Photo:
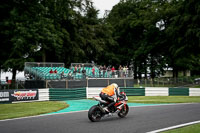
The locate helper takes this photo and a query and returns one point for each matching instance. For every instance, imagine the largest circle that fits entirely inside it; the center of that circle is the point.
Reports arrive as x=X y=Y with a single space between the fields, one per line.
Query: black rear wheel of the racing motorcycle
x=95 y=113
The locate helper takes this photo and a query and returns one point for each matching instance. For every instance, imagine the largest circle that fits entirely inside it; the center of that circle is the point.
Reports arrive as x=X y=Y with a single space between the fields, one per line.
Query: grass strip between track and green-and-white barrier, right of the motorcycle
x=164 y=99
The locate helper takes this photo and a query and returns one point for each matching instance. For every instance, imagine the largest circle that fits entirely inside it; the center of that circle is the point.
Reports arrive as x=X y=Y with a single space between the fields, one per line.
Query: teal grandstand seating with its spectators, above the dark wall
x=57 y=71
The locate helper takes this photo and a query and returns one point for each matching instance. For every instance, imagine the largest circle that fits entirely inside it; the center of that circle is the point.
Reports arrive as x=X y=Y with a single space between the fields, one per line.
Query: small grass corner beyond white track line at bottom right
x=188 y=129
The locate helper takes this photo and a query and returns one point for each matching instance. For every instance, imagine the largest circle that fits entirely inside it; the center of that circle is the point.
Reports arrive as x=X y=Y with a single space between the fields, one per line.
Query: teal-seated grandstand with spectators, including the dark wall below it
x=56 y=75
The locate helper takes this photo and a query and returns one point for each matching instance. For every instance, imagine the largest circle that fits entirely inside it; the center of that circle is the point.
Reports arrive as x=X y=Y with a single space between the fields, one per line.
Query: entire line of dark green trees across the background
x=148 y=35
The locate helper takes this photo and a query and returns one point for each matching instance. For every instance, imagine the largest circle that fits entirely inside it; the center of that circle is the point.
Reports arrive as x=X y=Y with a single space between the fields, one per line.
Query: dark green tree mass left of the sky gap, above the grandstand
x=61 y=31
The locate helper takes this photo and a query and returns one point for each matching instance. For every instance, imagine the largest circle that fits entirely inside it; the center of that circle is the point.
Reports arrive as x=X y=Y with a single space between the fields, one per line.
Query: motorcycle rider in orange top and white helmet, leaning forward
x=107 y=94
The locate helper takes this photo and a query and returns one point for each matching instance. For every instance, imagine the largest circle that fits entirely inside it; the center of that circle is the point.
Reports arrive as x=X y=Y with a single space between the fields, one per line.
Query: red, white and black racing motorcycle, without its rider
x=121 y=108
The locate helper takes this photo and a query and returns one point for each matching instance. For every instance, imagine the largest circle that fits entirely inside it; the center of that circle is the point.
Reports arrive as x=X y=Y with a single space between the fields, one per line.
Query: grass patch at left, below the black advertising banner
x=15 y=110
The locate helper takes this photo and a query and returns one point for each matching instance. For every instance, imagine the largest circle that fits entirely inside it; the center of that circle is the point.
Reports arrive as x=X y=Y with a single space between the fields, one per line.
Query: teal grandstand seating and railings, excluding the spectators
x=38 y=70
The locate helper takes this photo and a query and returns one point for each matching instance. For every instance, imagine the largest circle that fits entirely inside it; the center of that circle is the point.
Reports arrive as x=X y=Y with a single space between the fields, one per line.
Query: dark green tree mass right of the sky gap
x=157 y=34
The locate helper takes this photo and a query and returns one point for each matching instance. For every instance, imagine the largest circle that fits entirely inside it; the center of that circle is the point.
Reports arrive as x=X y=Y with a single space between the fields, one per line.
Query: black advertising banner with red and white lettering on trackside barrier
x=18 y=95
